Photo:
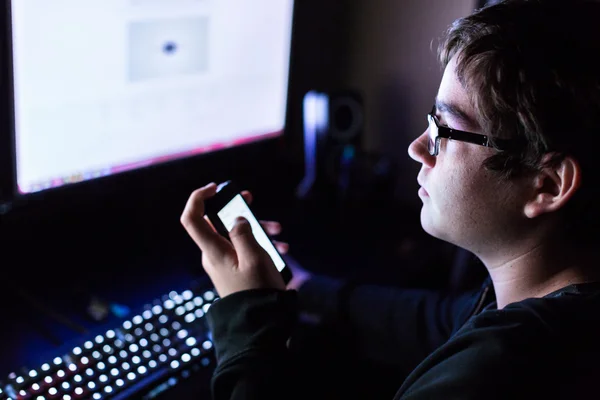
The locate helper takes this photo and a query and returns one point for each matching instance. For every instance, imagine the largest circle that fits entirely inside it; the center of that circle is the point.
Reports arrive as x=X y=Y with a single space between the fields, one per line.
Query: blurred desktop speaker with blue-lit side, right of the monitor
x=333 y=125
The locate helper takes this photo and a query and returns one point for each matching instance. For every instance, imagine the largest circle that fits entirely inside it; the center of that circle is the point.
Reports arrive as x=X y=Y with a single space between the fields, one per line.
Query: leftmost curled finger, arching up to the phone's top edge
x=197 y=227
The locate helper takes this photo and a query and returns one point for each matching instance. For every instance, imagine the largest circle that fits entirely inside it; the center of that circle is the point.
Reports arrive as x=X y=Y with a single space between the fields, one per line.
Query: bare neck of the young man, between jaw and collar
x=538 y=270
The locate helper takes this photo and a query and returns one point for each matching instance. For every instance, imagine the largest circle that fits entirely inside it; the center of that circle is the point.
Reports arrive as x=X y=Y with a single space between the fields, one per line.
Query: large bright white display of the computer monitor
x=104 y=86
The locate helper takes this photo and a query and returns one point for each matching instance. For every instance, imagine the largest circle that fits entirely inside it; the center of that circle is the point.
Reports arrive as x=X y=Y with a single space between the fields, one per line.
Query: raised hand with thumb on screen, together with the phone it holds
x=235 y=256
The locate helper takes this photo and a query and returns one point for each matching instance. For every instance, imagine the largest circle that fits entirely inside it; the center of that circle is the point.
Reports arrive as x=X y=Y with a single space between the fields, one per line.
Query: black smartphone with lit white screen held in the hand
x=226 y=206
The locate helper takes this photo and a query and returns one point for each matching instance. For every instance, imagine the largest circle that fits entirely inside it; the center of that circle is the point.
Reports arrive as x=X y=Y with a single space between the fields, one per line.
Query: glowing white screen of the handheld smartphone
x=237 y=208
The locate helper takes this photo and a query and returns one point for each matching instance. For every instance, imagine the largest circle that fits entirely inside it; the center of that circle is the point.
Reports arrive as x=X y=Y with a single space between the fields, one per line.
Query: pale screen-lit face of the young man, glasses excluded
x=463 y=203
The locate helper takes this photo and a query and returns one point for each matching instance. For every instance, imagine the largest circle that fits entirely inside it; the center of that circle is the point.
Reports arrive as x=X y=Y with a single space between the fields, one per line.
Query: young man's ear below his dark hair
x=553 y=187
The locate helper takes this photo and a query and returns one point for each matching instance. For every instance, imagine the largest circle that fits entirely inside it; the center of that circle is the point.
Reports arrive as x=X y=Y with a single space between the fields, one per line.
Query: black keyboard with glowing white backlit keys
x=166 y=342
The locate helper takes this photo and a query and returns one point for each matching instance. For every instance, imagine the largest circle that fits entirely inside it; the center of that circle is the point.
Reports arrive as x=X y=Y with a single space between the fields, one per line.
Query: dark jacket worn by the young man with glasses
x=460 y=347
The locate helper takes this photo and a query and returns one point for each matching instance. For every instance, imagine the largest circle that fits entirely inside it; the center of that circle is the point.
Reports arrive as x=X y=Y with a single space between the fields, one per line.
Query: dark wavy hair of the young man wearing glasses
x=533 y=72
